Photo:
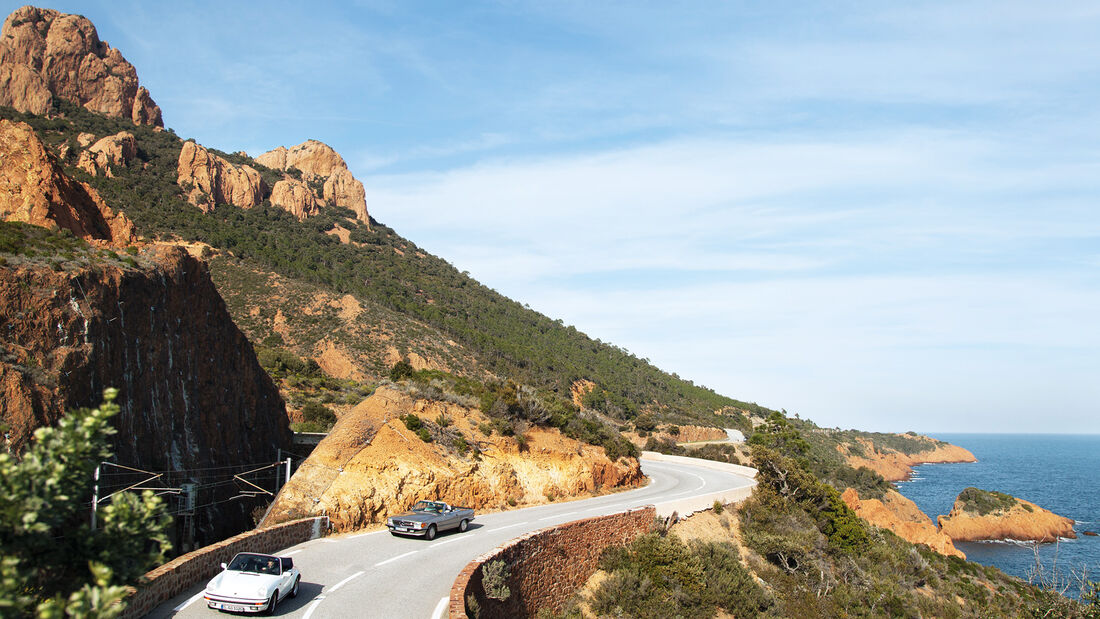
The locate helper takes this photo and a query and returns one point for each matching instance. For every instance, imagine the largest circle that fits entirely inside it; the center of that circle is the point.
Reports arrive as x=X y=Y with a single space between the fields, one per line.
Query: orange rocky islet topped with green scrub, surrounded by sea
x=981 y=515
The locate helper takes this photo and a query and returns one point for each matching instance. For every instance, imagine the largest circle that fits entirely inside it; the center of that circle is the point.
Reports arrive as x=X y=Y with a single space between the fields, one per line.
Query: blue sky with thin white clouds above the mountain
x=876 y=216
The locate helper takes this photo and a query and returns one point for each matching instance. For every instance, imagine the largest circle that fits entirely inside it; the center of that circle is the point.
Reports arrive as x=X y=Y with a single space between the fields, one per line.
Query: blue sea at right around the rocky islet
x=1058 y=472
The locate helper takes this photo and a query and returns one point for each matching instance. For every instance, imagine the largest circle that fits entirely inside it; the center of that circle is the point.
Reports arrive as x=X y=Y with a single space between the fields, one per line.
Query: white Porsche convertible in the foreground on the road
x=254 y=583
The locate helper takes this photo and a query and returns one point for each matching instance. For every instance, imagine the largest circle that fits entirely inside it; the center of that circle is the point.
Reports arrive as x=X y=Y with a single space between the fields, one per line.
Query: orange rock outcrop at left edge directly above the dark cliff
x=35 y=190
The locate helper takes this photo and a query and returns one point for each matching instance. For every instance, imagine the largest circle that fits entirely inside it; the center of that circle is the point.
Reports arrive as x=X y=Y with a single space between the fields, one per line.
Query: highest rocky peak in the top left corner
x=46 y=53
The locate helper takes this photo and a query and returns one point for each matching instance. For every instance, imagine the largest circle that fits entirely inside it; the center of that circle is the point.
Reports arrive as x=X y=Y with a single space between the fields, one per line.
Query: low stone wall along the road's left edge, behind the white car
x=189 y=570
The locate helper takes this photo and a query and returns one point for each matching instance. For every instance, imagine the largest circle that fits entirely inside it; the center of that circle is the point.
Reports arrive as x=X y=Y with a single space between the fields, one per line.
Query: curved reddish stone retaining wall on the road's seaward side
x=546 y=568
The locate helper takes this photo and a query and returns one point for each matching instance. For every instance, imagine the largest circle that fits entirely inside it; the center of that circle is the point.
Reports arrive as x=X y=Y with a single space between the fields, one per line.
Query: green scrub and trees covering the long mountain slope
x=417 y=292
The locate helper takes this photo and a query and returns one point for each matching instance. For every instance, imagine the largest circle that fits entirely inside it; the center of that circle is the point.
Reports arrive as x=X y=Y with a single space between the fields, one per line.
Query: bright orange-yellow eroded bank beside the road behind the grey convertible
x=371 y=467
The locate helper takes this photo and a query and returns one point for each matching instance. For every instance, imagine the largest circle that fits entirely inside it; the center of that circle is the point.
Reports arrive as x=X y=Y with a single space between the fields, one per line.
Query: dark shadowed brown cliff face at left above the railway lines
x=193 y=394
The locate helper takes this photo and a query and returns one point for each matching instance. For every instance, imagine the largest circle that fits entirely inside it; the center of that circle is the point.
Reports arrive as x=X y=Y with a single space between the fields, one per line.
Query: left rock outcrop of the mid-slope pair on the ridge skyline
x=211 y=181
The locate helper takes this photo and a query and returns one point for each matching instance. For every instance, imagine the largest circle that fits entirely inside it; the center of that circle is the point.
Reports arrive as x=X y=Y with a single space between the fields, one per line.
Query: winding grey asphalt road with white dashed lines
x=378 y=576
